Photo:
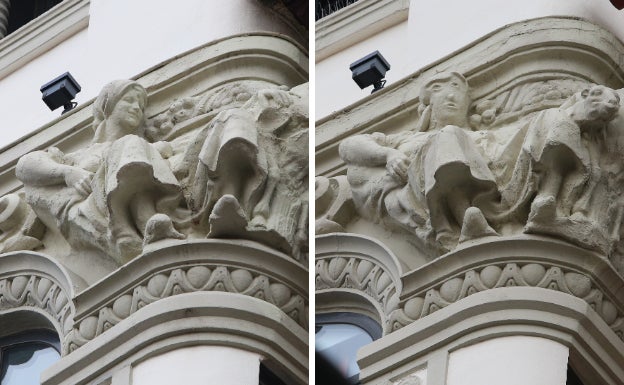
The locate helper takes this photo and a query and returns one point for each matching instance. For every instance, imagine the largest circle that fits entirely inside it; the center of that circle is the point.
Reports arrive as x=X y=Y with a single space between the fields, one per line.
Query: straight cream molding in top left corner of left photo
x=43 y=33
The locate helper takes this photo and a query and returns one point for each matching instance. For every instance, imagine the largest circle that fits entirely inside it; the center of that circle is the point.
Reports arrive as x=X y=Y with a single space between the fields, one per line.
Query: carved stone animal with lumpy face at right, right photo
x=562 y=164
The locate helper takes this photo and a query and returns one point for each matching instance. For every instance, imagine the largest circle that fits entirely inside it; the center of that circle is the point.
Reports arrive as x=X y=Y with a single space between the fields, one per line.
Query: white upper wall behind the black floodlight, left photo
x=123 y=39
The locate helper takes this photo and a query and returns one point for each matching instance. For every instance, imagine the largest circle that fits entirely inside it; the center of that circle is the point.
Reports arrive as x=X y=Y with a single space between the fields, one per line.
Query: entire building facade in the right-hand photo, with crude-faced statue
x=470 y=207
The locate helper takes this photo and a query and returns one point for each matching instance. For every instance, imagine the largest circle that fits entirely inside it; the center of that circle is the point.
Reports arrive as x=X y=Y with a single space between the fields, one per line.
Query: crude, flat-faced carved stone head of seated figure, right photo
x=448 y=96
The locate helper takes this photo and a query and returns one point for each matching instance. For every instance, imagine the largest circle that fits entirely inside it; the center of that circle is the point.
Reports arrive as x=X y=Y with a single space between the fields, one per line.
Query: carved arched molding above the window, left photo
x=34 y=283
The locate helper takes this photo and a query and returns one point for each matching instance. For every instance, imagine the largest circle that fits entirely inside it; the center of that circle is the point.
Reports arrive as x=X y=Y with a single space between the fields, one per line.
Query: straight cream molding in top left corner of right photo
x=356 y=23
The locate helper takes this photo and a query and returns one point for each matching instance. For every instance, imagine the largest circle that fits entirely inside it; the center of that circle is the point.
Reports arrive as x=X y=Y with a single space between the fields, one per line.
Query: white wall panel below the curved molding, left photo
x=199 y=365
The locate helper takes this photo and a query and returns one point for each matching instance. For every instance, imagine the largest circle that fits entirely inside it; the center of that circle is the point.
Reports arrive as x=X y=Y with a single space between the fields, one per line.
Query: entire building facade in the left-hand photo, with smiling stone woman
x=158 y=231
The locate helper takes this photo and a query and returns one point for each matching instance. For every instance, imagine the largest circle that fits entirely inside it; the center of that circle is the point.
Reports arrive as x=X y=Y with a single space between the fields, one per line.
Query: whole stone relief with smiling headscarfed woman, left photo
x=231 y=163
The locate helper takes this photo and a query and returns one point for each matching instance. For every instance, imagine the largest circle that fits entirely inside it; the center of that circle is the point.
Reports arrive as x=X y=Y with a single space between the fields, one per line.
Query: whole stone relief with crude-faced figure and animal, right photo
x=550 y=164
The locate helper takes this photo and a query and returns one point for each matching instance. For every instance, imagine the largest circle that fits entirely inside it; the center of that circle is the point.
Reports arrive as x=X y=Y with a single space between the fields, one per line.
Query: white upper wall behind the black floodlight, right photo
x=435 y=29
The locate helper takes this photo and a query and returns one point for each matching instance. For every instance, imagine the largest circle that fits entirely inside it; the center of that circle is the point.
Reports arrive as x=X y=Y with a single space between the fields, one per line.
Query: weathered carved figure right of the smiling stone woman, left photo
x=251 y=164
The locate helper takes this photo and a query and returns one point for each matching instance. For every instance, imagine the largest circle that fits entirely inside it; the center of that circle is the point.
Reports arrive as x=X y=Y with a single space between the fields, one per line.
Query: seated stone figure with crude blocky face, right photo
x=432 y=178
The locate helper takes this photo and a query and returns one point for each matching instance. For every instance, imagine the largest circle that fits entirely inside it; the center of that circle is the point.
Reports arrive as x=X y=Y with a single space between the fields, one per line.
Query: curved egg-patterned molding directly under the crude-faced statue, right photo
x=519 y=261
